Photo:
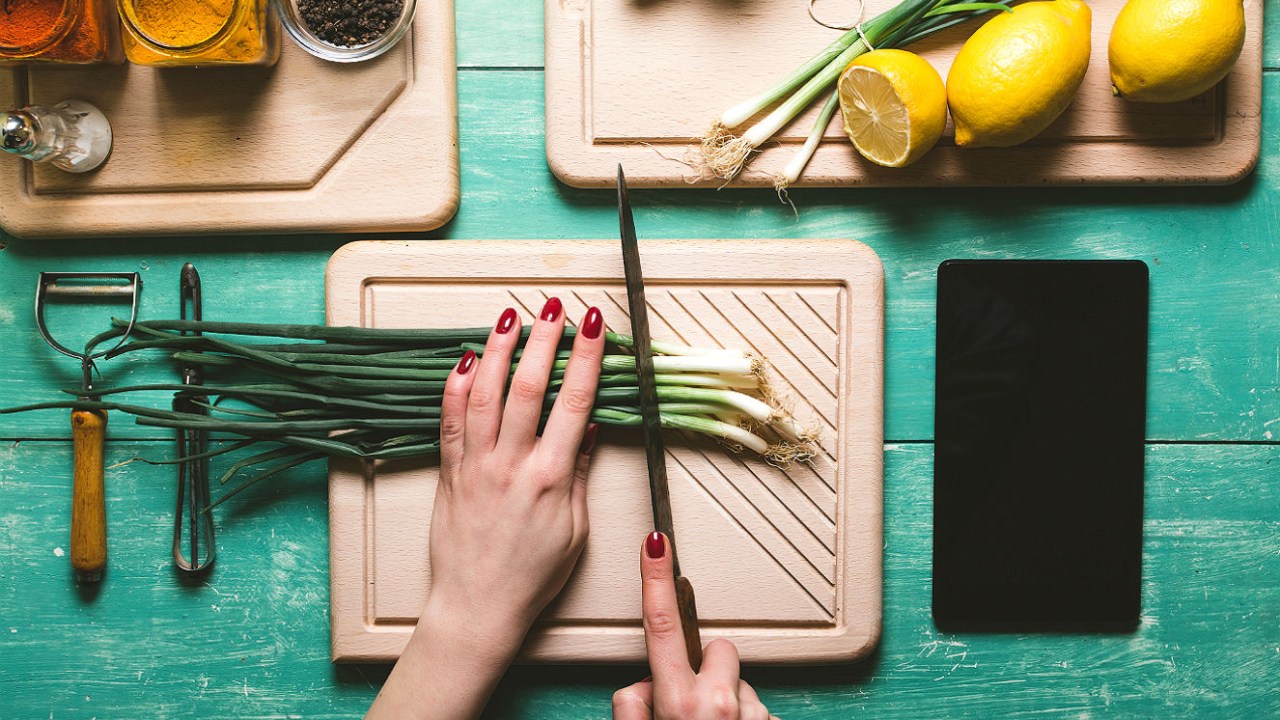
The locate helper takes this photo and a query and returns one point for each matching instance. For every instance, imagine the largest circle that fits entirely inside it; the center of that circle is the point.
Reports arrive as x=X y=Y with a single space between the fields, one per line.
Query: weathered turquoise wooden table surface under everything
x=253 y=640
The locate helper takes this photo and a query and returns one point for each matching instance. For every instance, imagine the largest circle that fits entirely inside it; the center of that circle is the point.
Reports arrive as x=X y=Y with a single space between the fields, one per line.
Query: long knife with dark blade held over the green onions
x=656 y=455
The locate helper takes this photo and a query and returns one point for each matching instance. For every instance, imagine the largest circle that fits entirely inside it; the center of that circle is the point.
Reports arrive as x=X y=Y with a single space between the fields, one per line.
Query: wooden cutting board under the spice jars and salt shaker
x=304 y=147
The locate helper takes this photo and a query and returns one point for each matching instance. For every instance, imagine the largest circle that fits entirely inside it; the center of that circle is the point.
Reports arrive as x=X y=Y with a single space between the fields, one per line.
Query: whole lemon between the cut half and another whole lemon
x=1018 y=72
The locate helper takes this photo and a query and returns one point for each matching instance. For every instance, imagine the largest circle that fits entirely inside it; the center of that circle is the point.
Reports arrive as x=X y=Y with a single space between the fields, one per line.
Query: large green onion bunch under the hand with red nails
x=376 y=394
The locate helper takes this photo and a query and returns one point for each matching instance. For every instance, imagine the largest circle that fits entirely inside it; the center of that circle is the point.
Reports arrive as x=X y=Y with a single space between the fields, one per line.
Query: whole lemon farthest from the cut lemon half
x=1171 y=51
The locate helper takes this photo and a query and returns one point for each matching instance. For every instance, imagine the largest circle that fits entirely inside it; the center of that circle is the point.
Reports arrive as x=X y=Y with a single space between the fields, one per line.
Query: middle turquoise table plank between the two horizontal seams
x=1214 y=257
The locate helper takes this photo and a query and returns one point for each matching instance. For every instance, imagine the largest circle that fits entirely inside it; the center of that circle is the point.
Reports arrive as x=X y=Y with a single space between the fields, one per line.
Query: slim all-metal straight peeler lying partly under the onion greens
x=193 y=523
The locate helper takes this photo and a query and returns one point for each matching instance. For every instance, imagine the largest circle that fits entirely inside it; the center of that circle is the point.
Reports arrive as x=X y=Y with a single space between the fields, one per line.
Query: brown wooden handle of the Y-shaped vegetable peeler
x=89 y=502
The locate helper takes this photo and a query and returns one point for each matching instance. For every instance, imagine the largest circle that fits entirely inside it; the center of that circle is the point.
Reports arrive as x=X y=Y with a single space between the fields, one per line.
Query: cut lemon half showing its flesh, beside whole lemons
x=894 y=104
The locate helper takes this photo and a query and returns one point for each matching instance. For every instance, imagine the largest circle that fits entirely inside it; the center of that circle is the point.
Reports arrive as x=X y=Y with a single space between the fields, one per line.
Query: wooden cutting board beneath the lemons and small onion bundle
x=633 y=81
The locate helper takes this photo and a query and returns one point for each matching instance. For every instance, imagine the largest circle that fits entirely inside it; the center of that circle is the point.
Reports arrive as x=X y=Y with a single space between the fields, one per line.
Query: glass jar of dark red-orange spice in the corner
x=60 y=31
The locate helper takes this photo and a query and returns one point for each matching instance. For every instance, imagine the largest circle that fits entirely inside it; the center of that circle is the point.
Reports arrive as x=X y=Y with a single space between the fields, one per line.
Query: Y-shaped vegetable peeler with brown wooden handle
x=89 y=427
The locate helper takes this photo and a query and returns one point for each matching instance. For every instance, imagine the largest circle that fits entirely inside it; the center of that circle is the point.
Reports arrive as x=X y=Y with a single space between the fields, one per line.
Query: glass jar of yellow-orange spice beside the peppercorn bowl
x=200 y=33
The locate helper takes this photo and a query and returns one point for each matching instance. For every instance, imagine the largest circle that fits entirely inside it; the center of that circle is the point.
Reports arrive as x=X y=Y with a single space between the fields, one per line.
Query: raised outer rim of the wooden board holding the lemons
x=574 y=160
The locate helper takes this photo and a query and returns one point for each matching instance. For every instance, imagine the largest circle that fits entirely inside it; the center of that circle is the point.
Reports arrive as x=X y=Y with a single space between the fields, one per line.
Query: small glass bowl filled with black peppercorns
x=344 y=40
